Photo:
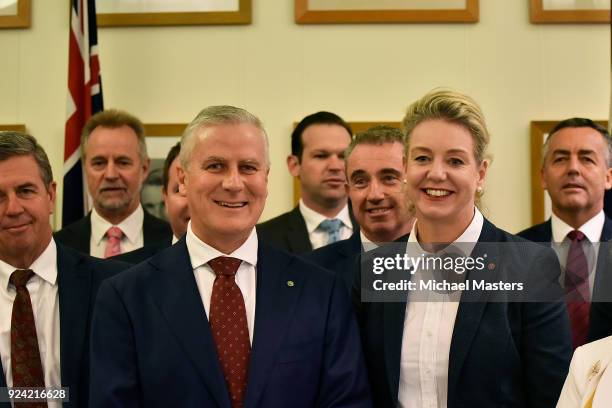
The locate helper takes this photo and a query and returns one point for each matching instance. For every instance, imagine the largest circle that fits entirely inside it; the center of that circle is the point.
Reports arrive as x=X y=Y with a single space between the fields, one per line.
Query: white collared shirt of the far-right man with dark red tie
x=560 y=242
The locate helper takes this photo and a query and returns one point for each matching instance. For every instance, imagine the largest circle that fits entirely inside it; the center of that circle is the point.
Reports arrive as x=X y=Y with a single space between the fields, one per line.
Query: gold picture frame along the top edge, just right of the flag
x=240 y=16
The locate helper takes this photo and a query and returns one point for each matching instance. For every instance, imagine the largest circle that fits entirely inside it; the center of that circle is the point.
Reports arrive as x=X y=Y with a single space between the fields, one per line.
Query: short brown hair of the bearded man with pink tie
x=113 y=119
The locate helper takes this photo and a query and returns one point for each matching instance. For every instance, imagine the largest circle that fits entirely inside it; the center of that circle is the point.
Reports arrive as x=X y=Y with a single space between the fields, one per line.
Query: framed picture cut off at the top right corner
x=570 y=11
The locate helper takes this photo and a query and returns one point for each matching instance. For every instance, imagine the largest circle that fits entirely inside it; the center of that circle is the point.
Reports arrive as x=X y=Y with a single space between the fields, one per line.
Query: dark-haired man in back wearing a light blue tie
x=322 y=217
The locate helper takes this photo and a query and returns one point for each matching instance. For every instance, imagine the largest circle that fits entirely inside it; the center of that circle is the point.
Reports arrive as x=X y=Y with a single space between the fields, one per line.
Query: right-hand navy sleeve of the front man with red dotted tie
x=344 y=379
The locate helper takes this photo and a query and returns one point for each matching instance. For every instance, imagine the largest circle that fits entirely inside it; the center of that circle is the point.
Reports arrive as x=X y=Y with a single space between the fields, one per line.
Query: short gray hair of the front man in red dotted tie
x=215 y=116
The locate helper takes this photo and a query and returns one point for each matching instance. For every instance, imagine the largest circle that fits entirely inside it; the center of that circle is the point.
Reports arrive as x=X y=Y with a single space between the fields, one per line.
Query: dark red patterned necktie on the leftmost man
x=25 y=356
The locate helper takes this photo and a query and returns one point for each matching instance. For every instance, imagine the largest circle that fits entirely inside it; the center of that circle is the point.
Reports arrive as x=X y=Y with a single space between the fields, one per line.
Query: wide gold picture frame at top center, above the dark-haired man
x=305 y=13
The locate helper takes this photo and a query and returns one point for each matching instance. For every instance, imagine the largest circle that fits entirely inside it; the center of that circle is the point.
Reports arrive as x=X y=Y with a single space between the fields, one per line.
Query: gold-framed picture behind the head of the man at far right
x=540 y=202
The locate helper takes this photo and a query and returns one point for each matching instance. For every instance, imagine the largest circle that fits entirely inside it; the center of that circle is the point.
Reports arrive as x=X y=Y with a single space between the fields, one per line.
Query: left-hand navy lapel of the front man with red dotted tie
x=176 y=294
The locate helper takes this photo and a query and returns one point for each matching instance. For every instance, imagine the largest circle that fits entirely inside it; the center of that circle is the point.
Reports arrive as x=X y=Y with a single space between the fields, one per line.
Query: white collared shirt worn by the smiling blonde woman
x=426 y=340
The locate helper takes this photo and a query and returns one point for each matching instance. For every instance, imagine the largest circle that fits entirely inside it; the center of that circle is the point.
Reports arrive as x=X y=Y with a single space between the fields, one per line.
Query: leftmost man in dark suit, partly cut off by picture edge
x=49 y=289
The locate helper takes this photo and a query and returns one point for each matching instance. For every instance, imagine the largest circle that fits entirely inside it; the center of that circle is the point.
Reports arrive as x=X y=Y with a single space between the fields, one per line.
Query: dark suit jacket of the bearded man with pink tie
x=78 y=234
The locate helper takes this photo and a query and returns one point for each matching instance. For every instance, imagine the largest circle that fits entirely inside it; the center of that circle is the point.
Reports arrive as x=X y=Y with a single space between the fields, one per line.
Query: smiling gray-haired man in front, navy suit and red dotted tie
x=182 y=328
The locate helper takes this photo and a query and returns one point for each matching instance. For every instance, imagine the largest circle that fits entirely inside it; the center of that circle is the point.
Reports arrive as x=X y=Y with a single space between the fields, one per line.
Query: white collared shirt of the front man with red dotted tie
x=246 y=276
